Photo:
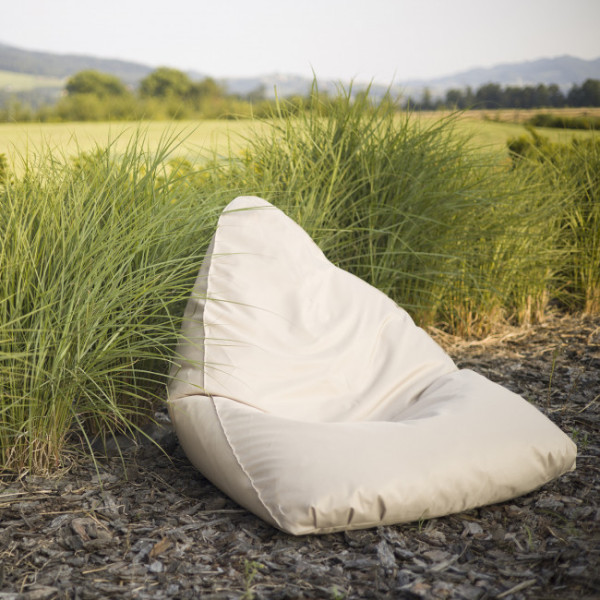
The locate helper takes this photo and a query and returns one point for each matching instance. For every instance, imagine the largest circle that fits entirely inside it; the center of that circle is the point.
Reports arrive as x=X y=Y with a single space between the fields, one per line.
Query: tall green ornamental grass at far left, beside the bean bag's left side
x=97 y=258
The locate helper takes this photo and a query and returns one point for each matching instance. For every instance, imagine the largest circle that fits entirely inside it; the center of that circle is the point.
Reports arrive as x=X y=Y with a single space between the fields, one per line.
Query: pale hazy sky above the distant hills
x=360 y=39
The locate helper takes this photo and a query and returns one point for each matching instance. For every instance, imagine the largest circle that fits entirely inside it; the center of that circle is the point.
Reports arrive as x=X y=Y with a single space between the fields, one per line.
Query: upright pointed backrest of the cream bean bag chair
x=273 y=324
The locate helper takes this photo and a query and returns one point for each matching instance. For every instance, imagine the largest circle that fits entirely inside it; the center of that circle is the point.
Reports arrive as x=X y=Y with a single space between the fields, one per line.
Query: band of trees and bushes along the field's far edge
x=168 y=93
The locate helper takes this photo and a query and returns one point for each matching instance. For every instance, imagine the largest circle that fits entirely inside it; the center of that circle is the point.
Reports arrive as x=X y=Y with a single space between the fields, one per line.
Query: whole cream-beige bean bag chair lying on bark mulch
x=313 y=400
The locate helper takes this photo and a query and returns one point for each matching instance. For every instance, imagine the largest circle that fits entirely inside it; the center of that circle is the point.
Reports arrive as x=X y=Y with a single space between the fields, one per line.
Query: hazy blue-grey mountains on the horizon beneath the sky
x=563 y=70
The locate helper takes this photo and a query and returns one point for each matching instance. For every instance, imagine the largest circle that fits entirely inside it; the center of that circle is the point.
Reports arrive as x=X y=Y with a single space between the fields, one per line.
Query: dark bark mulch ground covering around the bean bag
x=153 y=527
